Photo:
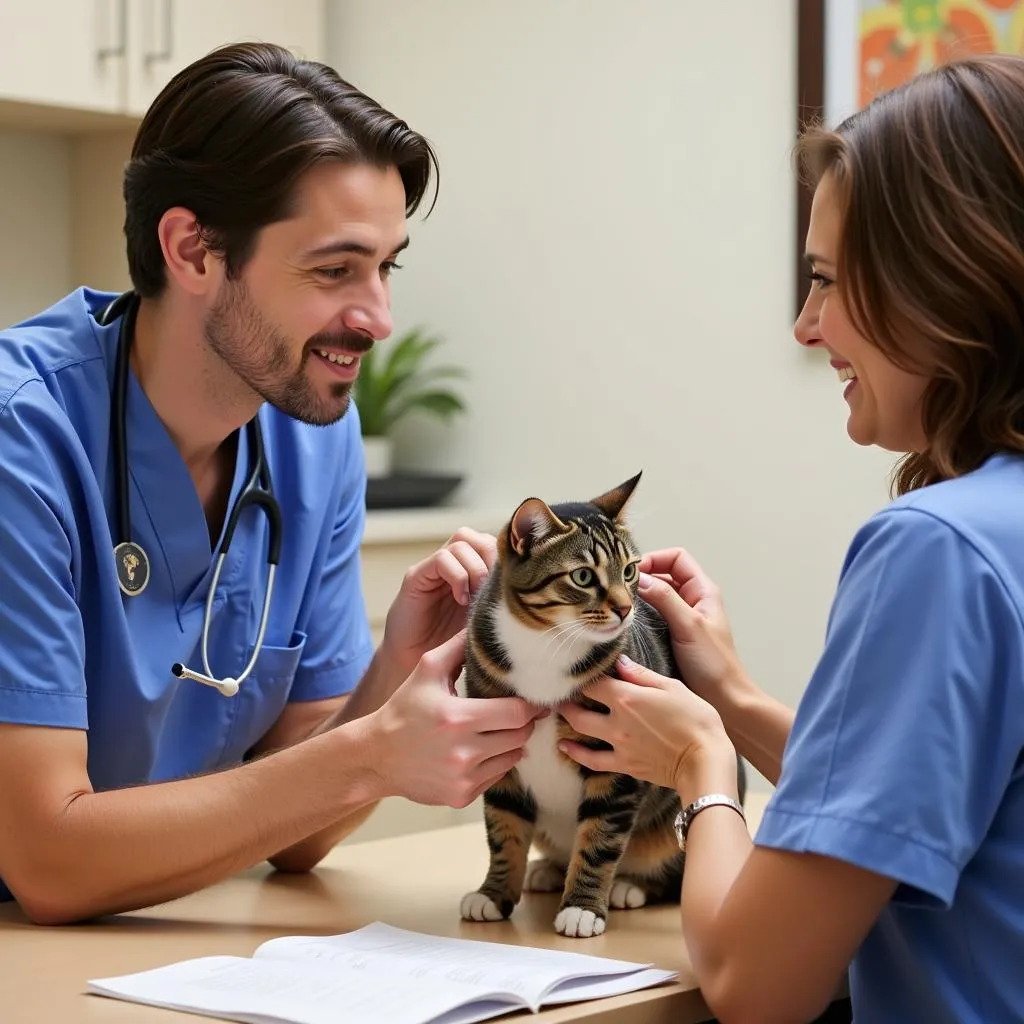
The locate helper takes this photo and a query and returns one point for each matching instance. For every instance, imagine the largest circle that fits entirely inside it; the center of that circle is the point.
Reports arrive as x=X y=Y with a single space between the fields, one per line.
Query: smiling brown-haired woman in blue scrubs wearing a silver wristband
x=895 y=837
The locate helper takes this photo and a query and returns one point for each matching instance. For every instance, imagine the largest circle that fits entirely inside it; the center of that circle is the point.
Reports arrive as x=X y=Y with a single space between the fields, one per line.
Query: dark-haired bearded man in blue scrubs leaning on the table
x=267 y=202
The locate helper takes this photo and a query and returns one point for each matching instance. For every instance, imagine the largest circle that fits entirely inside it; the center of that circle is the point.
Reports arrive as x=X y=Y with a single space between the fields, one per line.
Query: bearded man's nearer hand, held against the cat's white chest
x=434 y=747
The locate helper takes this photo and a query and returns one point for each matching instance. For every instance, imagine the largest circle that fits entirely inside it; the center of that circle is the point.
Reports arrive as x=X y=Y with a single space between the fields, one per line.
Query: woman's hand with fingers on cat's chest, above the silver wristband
x=660 y=732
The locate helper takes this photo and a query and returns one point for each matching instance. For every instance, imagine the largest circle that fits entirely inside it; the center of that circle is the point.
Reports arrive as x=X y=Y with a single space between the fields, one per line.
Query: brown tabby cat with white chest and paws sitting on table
x=557 y=612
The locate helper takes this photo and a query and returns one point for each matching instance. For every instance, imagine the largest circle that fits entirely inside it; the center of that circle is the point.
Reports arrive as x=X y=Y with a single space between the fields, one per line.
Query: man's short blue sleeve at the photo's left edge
x=42 y=643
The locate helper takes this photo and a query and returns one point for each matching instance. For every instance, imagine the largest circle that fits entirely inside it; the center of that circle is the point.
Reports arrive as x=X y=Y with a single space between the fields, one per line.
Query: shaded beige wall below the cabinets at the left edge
x=35 y=203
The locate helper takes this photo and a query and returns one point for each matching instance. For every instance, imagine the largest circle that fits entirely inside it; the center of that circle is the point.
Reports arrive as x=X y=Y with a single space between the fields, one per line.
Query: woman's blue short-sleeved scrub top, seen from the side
x=907 y=757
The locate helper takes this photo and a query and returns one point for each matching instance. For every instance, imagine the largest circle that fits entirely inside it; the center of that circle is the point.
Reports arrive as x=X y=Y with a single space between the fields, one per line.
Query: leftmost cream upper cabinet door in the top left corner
x=64 y=53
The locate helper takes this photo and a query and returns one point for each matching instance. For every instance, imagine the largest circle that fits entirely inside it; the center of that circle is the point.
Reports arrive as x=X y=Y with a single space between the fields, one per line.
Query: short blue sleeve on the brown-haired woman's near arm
x=912 y=724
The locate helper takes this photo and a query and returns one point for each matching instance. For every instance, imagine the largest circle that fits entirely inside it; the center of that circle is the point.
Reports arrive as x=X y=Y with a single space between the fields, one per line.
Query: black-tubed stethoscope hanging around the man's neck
x=131 y=559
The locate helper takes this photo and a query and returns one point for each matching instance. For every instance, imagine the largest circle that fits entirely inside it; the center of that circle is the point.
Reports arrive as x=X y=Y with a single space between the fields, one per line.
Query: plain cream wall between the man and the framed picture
x=612 y=259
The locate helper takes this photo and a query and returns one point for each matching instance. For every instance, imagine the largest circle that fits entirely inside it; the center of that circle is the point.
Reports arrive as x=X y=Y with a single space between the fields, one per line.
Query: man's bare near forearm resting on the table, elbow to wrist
x=124 y=849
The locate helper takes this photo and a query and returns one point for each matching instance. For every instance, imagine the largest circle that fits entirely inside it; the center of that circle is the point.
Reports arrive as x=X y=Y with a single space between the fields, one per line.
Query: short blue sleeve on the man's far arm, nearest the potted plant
x=339 y=646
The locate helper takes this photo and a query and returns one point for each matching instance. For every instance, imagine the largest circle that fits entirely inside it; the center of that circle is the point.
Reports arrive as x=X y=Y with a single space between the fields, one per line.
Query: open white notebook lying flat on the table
x=379 y=973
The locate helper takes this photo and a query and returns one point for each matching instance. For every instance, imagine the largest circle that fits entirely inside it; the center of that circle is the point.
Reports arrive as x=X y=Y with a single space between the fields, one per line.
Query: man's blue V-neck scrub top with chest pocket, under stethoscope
x=75 y=653
